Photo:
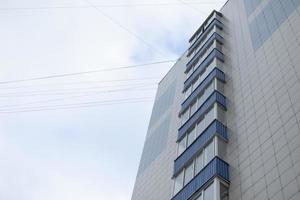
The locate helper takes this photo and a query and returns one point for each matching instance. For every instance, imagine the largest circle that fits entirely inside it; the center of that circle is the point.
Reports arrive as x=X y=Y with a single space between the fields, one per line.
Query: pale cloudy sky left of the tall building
x=80 y=137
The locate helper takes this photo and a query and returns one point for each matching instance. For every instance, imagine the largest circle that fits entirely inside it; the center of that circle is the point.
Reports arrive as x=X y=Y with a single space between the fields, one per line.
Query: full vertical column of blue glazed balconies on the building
x=199 y=169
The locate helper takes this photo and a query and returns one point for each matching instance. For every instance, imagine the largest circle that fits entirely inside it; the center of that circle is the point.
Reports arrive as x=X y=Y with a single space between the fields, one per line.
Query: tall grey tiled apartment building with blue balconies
x=226 y=119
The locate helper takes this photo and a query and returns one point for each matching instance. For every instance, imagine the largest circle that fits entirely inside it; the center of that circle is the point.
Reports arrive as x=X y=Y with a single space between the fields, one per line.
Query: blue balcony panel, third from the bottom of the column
x=215 y=97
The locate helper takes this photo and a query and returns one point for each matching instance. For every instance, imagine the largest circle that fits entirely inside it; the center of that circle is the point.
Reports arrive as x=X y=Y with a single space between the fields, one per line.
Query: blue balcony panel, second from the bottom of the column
x=215 y=128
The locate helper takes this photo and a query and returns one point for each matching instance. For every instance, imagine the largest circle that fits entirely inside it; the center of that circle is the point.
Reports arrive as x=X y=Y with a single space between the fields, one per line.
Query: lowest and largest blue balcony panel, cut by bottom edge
x=216 y=168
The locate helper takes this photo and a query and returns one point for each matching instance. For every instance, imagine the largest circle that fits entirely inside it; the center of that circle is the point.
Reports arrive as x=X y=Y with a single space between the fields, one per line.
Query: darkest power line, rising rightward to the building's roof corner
x=86 y=72
